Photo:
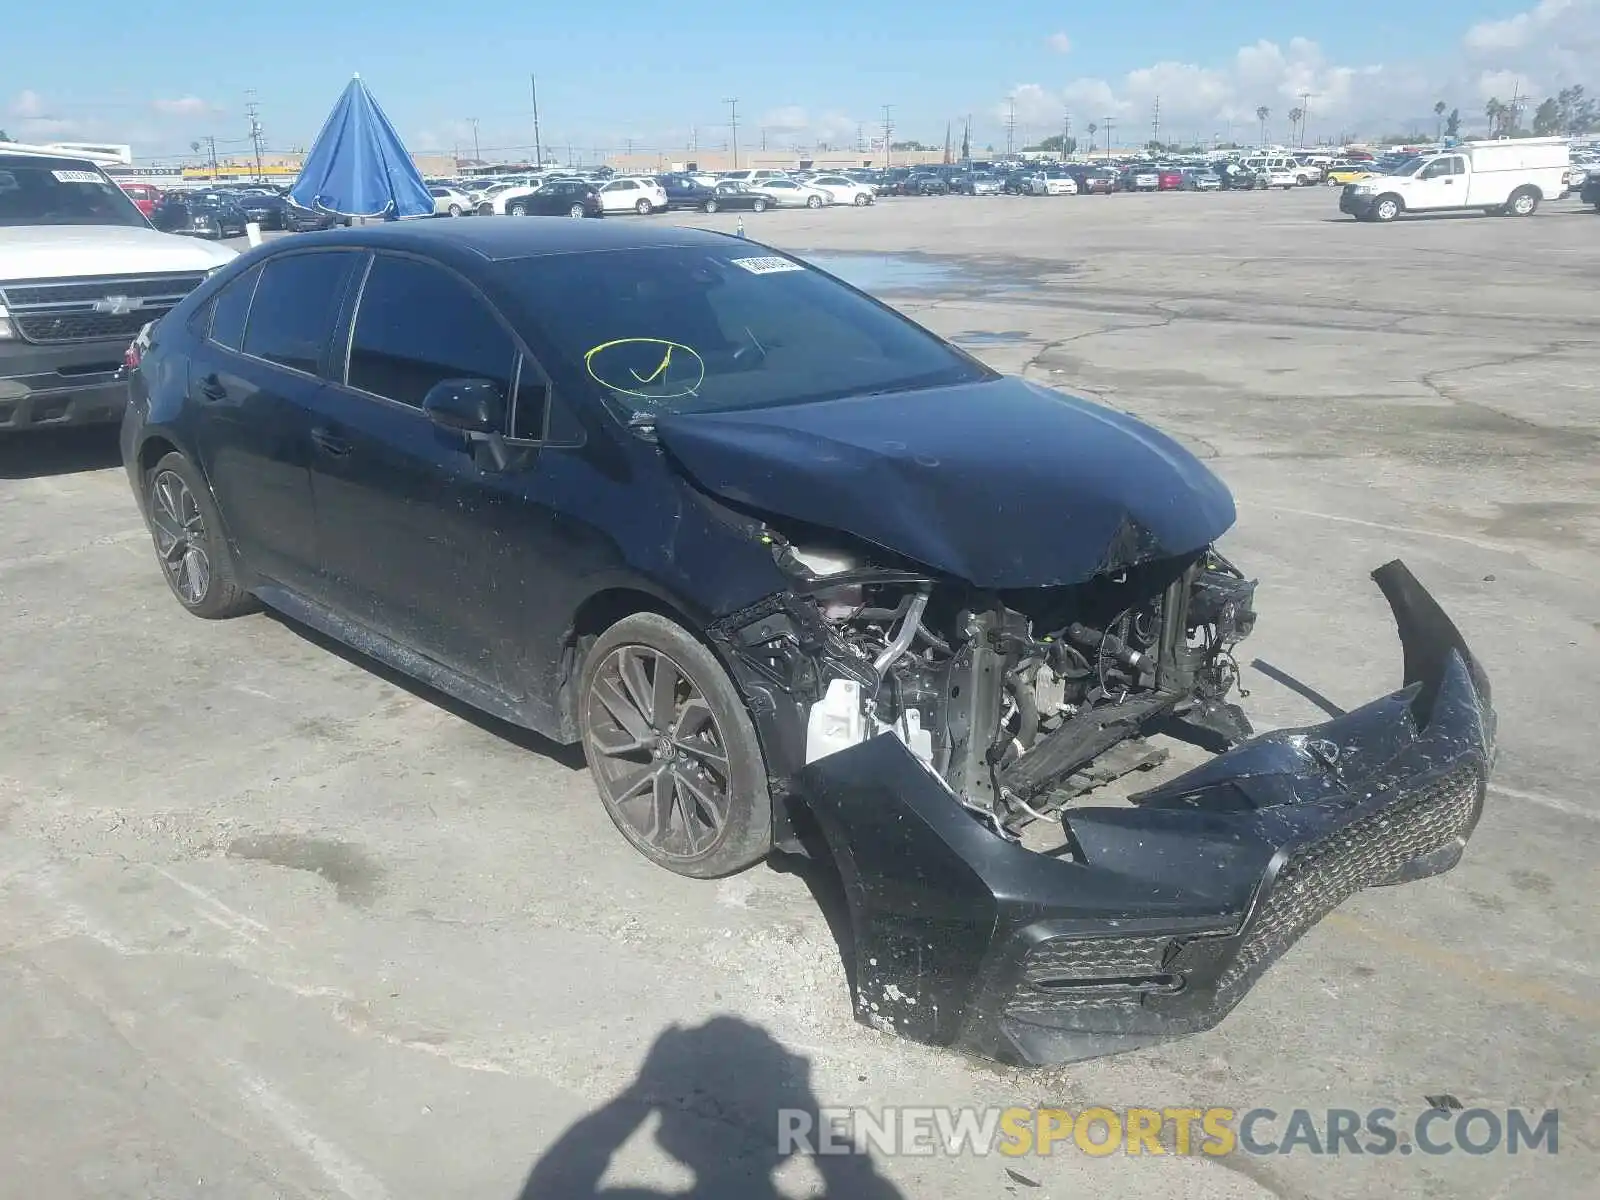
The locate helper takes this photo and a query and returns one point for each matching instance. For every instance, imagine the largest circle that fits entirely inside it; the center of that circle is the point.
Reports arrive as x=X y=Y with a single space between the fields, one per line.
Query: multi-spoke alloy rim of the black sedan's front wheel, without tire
x=658 y=753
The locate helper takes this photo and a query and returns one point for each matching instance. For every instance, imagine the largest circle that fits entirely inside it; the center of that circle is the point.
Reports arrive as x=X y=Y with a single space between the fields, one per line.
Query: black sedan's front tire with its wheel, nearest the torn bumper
x=746 y=831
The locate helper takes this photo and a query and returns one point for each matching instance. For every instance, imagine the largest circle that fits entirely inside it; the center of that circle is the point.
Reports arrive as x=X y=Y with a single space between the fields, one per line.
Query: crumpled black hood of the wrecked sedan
x=1004 y=484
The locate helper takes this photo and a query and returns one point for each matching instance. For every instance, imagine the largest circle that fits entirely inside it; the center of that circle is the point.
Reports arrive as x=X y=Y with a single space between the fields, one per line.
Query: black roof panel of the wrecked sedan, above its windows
x=502 y=239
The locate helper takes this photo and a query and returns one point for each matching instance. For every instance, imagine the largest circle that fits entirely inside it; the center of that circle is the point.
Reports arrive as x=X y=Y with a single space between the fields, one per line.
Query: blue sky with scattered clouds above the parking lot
x=807 y=73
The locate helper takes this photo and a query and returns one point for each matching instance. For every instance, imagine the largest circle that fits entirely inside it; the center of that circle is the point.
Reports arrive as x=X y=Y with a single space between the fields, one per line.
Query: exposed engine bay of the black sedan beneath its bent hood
x=1018 y=700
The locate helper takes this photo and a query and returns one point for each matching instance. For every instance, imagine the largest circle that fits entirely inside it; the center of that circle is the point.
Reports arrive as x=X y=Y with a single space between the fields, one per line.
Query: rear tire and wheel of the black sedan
x=190 y=508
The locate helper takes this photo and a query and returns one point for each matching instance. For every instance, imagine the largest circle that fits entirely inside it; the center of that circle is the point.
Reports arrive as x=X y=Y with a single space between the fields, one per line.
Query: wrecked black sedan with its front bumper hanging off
x=761 y=546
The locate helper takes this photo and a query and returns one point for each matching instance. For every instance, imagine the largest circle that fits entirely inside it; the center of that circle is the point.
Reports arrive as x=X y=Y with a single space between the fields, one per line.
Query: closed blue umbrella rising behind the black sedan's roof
x=359 y=166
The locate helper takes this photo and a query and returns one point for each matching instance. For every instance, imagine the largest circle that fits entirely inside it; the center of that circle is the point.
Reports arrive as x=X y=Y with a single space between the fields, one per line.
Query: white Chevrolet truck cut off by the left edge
x=81 y=274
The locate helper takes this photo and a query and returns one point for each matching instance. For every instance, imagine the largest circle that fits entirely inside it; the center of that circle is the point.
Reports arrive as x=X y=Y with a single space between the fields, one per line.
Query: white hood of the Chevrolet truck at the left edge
x=60 y=252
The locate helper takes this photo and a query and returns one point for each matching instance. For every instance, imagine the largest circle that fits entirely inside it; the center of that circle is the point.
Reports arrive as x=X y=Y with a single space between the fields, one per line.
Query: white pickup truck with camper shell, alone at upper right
x=1506 y=177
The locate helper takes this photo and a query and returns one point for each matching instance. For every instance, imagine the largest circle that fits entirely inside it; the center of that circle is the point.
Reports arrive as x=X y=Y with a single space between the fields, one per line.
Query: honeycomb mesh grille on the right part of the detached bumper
x=1372 y=850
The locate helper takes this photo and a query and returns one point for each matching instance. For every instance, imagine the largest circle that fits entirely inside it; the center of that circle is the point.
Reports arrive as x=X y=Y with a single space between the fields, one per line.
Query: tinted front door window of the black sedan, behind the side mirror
x=417 y=326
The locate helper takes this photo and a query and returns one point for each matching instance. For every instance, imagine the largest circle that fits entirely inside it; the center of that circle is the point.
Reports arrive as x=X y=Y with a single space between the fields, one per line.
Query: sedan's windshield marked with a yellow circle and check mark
x=692 y=330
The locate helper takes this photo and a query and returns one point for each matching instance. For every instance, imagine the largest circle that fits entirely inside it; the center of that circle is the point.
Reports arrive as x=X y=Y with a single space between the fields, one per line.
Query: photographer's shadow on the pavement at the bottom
x=724 y=1094
